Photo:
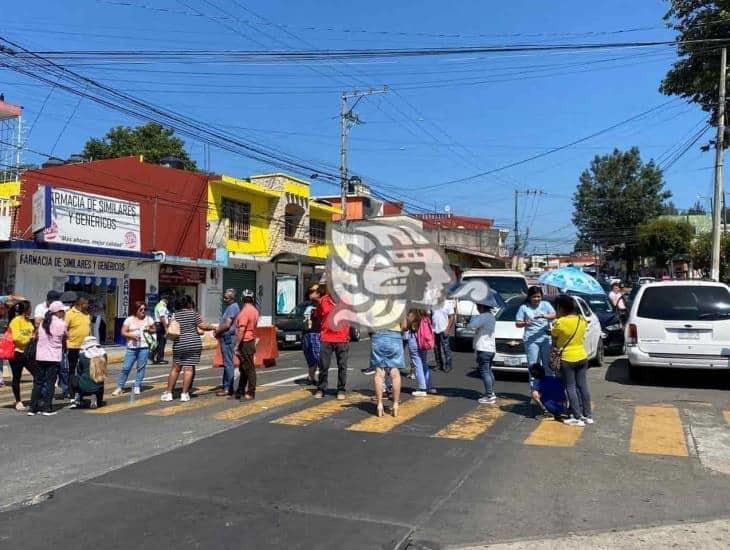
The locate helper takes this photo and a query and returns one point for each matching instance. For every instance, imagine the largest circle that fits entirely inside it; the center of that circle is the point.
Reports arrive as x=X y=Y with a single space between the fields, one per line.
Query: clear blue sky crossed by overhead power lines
x=443 y=119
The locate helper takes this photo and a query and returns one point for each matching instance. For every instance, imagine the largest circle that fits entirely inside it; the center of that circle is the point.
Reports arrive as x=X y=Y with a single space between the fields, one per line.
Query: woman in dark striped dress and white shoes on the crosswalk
x=186 y=350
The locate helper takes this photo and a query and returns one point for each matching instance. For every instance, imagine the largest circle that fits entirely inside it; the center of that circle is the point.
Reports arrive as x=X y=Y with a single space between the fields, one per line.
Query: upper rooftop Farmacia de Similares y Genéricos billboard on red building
x=84 y=219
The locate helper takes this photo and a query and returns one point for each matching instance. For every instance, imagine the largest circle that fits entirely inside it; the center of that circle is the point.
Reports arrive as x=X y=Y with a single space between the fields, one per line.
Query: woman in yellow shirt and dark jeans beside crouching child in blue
x=568 y=333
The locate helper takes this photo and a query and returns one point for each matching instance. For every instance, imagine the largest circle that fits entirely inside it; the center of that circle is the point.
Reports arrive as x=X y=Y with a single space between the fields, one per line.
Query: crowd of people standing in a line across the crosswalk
x=54 y=342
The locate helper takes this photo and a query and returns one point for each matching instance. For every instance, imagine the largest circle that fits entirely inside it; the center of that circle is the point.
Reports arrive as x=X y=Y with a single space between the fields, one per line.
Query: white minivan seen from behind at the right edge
x=679 y=324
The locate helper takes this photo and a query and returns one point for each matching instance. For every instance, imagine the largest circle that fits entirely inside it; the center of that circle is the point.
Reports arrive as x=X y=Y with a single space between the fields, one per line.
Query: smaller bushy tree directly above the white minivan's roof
x=664 y=238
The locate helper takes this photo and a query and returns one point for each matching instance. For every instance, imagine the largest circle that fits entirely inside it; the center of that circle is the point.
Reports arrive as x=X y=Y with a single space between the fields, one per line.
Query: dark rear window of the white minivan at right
x=685 y=303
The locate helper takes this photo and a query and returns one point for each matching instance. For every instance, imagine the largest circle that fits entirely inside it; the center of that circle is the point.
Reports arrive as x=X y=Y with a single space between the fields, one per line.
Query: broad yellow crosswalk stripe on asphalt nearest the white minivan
x=658 y=431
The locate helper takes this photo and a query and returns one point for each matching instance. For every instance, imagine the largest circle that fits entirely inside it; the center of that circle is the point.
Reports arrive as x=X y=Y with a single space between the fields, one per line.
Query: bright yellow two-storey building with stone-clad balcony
x=276 y=236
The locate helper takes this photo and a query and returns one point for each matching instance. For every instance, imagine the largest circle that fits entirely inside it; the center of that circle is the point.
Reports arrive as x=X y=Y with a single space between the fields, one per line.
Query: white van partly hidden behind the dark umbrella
x=508 y=284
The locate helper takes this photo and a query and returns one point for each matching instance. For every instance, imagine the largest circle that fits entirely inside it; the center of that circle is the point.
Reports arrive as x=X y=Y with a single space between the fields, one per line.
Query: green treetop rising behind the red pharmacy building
x=152 y=140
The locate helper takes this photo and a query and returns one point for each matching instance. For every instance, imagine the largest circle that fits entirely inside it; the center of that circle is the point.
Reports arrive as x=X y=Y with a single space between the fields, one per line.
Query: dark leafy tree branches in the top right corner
x=695 y=75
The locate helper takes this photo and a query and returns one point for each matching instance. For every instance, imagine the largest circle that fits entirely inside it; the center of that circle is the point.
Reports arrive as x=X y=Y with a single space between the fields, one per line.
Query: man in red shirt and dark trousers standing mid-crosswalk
x=334 y=340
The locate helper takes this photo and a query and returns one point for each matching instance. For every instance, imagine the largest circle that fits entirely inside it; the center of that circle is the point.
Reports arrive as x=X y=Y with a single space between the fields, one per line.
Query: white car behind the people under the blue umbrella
x=511 y=354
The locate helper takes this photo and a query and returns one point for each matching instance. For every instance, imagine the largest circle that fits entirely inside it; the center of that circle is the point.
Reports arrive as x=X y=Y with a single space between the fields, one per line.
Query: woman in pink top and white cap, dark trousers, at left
x=48 y=357
